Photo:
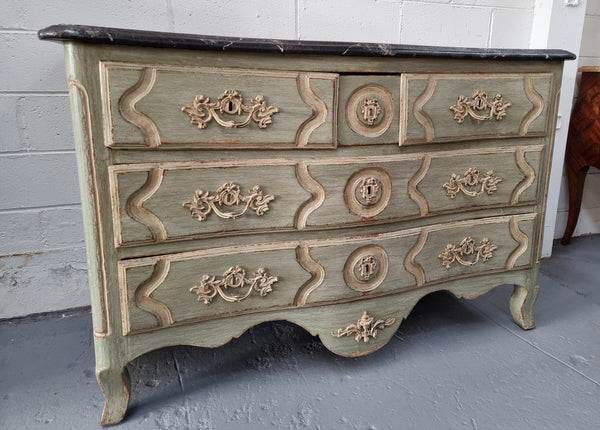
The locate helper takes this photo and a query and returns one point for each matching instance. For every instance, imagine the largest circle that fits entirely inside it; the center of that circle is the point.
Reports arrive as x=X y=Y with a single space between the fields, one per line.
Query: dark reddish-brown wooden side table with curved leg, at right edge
x=583 y=143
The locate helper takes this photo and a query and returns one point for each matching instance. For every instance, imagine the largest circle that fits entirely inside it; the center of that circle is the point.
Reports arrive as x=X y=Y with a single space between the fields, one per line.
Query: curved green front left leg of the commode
x=115 y=385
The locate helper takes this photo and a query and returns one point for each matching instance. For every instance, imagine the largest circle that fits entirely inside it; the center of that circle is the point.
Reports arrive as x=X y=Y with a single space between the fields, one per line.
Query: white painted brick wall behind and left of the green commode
x=42 y=259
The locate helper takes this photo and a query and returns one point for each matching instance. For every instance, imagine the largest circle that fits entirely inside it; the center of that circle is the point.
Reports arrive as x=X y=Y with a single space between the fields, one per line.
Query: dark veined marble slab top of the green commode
x=118 y=36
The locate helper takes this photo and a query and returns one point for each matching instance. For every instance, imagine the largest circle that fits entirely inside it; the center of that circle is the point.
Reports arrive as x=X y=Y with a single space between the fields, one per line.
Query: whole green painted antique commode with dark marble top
x=226 y=182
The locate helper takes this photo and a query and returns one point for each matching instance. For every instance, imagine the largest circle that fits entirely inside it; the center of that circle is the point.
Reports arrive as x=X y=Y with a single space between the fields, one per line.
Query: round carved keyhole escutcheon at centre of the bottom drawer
x=366 y=268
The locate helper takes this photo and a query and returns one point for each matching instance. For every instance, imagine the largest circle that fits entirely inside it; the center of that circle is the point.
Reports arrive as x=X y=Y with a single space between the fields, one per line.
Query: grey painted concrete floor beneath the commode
x=454 y=364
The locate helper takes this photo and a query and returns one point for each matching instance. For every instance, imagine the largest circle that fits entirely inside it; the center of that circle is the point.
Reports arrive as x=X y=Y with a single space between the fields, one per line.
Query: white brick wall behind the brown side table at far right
x=589 y=218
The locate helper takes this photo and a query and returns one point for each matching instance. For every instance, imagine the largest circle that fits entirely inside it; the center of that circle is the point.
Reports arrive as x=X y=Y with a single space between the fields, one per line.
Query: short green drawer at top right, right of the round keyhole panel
x=454 y=107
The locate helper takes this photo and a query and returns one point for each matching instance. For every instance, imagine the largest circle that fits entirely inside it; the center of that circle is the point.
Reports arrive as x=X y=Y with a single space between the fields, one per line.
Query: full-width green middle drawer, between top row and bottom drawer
x=157 y=202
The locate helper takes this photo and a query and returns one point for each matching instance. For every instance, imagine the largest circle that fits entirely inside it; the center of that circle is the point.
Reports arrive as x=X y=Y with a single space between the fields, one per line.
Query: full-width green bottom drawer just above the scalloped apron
x=167 y=290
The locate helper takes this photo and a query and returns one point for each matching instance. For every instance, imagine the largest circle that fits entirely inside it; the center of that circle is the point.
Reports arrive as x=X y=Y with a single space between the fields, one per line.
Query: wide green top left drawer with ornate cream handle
x=183 y=107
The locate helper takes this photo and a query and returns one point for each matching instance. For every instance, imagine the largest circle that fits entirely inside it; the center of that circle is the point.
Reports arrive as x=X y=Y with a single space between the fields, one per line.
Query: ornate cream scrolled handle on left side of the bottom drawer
x=234 y=278
